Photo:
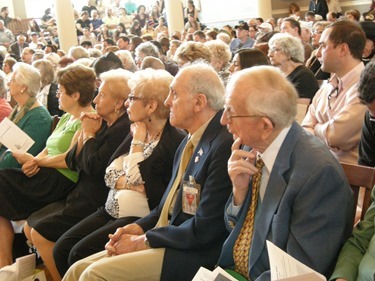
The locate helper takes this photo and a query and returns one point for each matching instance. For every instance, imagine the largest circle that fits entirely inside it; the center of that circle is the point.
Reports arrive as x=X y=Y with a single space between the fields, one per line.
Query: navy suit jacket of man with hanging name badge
x=192 y=241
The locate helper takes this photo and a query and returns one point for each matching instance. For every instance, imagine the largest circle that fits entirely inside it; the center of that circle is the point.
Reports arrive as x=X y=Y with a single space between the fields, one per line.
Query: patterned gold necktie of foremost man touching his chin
x=242 y=245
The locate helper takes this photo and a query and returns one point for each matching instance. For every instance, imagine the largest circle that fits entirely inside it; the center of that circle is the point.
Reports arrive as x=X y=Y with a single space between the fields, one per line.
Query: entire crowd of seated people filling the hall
x=134 y=101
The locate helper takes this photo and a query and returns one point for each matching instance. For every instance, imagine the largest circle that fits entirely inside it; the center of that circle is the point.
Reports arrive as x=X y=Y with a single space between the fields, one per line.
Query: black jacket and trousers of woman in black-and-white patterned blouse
x=90 y=235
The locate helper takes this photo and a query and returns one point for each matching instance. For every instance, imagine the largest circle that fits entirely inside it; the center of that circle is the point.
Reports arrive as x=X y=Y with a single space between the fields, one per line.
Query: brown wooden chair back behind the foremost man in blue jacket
x=360 y=176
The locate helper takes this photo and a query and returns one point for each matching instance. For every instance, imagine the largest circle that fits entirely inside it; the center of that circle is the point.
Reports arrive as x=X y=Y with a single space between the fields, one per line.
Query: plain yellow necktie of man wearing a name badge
x=185 y=158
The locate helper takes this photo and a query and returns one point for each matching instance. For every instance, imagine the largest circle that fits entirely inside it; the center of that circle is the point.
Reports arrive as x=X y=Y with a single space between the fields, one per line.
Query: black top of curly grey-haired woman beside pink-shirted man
x=304 y=81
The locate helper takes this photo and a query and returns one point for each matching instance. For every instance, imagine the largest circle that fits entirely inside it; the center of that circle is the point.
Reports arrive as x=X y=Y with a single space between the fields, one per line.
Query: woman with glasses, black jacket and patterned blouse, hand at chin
x=139 y=172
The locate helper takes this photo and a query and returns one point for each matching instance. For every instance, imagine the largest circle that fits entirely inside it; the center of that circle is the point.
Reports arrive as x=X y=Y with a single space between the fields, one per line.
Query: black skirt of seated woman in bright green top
x=20 y=196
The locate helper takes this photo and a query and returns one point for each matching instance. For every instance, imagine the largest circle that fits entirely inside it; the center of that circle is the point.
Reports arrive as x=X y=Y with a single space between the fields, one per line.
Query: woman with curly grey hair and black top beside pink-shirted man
x=286 y=53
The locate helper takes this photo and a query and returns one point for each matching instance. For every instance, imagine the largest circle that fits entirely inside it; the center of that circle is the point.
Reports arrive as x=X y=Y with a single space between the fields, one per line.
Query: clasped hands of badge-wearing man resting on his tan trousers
x=126 y=239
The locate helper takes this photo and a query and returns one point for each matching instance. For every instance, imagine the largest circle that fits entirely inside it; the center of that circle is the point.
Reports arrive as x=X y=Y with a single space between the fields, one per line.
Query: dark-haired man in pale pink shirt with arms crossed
x=336 y=114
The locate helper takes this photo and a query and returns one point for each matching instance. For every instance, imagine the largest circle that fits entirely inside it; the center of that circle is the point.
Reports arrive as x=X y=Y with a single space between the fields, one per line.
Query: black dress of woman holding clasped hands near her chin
x=90 y=192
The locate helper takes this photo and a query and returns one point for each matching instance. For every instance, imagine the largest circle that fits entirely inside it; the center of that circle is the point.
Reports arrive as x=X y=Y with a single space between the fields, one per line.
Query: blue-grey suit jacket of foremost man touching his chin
x=306 y=211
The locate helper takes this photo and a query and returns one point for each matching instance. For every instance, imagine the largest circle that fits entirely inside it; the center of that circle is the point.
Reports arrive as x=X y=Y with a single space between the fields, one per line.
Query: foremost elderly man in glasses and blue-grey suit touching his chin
x=304 y=203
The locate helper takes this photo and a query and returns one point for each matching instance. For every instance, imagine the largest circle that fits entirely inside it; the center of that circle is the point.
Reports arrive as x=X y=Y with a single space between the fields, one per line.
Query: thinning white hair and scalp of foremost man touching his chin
x=267 y=93
